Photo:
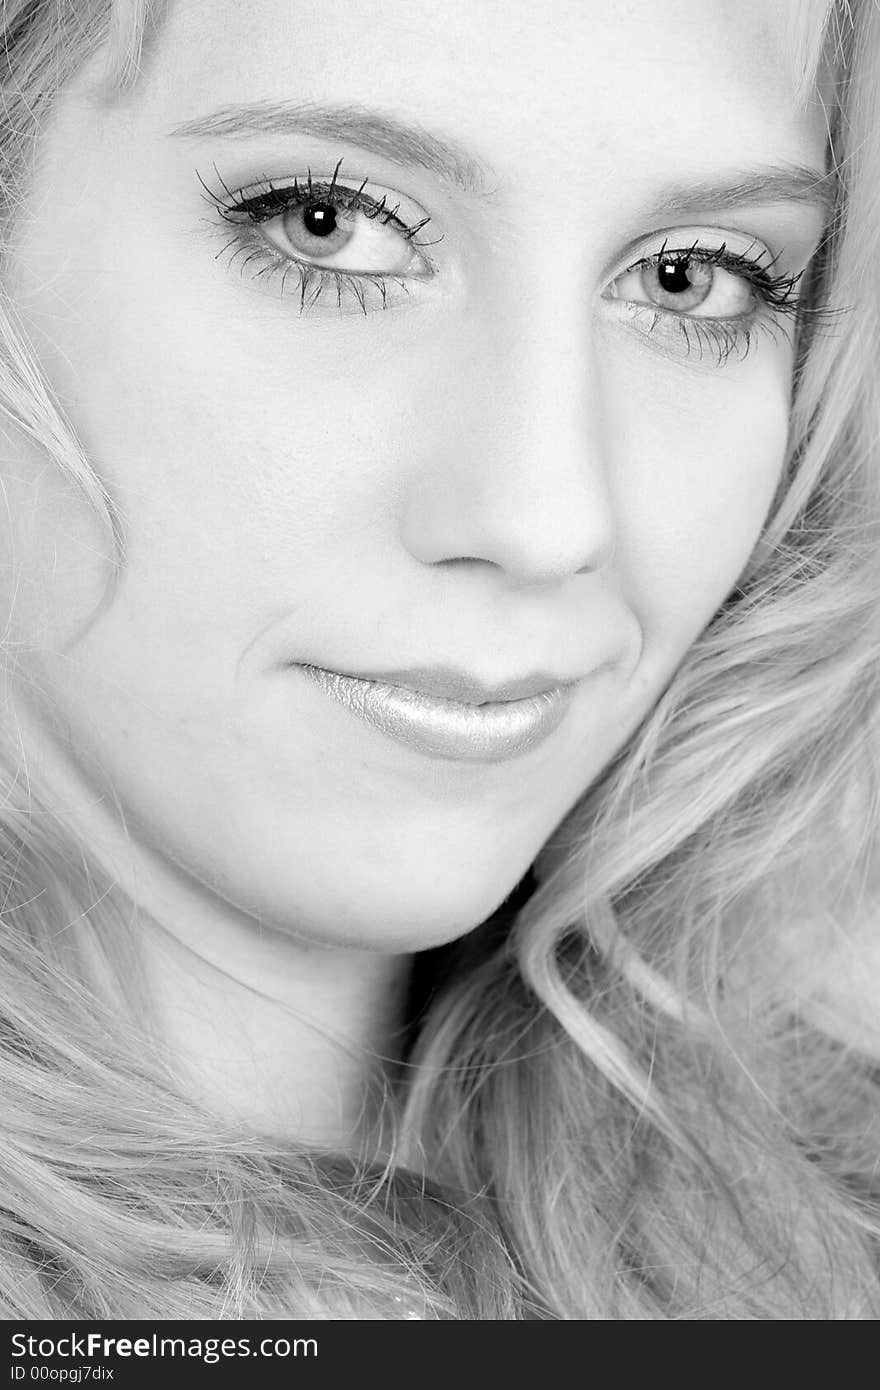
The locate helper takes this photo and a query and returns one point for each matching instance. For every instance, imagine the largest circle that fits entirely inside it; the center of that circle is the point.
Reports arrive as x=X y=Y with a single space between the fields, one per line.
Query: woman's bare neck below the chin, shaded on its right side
x=282 y=1036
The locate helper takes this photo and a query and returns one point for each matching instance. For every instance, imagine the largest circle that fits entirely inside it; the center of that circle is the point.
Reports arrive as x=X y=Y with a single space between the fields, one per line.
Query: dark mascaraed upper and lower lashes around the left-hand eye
x=269 y=199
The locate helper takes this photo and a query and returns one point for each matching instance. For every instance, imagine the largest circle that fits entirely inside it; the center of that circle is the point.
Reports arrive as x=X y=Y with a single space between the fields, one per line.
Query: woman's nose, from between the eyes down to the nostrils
x=516 y=476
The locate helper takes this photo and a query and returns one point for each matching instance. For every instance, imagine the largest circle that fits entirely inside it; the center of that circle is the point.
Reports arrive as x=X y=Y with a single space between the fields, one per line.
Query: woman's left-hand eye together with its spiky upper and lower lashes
x=319 y=234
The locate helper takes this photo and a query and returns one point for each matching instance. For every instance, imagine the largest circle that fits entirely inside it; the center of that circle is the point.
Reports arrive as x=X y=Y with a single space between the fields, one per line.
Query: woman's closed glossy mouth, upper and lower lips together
x=447 y=714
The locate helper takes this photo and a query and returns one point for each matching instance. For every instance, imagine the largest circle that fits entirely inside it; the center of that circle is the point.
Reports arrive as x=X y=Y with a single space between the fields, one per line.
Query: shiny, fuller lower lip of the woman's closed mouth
x=448 y=729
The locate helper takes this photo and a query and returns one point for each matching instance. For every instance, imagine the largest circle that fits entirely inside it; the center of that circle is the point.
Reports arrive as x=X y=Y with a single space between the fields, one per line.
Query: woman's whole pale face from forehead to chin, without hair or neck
x=519 y=441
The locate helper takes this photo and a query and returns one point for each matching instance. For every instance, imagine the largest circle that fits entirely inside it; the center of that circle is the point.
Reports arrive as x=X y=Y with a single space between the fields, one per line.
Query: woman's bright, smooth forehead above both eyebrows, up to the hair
x=683 y=85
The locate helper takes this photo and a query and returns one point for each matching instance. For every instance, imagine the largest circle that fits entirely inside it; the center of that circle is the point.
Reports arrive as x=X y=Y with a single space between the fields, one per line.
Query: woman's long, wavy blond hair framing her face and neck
x=621 y=1107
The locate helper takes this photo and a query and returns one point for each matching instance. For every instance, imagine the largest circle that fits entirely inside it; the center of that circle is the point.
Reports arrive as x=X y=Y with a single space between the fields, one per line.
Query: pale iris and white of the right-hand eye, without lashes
x=687 y=283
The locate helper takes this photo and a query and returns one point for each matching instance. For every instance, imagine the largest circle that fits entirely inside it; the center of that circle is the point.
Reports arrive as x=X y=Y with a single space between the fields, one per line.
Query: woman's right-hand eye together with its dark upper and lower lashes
x=710 y=298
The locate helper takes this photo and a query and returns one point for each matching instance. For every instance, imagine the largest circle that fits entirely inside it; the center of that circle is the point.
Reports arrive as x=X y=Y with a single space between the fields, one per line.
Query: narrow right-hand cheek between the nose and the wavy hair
x=700 y=455
